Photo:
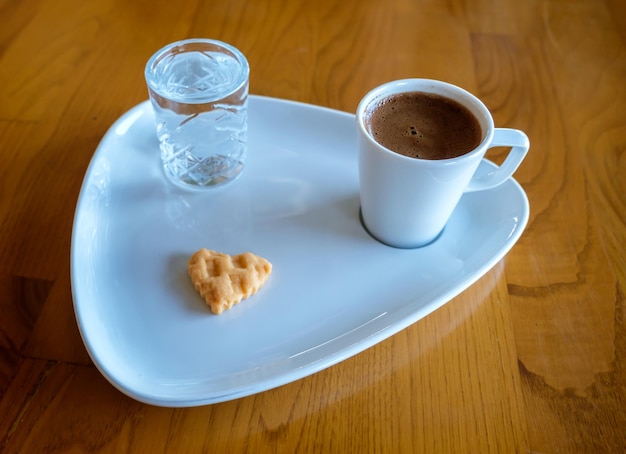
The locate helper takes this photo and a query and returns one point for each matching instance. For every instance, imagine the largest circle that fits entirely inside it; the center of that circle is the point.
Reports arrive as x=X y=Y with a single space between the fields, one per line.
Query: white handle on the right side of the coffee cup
x=502 y=137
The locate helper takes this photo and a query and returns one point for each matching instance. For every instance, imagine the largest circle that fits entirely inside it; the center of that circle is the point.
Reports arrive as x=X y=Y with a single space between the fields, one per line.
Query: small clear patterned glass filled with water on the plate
x=199 y=98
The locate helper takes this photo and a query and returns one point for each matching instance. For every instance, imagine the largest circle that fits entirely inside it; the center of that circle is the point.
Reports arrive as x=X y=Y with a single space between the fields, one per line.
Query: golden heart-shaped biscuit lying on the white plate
x=224 y=280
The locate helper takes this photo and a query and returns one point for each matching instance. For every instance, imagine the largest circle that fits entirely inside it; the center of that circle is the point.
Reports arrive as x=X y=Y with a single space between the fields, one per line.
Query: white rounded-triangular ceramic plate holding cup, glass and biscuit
x=334 y=291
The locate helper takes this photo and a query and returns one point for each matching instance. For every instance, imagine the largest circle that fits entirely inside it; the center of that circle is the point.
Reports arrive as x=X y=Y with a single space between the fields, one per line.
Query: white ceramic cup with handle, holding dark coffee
x=406 y=202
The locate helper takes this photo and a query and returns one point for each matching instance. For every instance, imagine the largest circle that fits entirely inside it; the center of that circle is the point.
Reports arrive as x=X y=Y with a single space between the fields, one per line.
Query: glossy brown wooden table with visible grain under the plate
x=531 y=358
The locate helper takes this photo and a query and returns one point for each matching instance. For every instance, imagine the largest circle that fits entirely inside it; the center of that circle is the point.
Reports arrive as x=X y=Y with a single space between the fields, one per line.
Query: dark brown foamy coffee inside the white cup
x=424 y=125
